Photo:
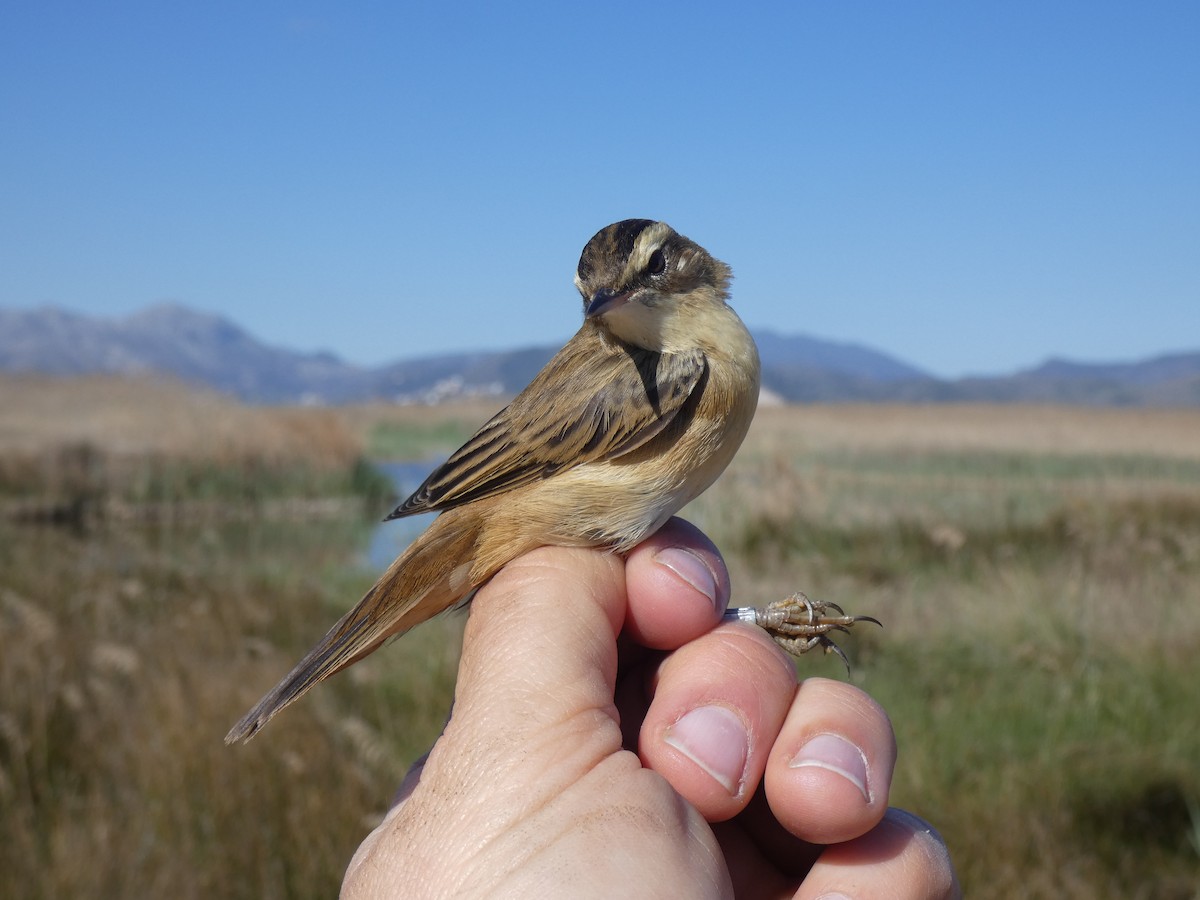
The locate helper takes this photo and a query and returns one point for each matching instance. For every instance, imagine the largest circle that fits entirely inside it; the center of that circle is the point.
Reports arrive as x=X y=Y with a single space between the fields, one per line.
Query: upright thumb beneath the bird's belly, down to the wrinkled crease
x=541 y=645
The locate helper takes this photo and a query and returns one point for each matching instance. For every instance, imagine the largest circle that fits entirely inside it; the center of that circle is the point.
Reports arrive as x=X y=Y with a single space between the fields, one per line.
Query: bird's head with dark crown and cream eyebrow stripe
x=652 y=287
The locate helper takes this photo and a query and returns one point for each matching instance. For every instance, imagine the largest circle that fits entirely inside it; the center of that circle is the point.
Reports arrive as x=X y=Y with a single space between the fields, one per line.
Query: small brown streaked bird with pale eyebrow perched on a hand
x=637 y=416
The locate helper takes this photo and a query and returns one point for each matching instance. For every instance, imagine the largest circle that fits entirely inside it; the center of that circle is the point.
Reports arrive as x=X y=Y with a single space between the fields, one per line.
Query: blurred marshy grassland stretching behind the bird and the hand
x=1037 y=572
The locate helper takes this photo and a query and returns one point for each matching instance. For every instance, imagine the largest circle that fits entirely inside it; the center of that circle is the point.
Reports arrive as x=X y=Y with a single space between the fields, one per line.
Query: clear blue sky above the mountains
x=970 y=187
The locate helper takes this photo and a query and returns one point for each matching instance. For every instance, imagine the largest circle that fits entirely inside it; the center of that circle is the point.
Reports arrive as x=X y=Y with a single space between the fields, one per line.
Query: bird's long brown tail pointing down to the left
x=427 y=579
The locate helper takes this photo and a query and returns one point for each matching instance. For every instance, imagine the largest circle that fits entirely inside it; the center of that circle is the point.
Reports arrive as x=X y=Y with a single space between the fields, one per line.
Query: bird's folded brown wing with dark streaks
x=591 y=403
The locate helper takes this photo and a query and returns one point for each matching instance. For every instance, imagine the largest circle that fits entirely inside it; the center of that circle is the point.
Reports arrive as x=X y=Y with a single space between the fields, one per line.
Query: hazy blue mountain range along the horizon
x=211 y=351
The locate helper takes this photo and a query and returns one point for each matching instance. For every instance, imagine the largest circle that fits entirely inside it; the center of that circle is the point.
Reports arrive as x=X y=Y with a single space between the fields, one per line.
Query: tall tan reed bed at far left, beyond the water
x=121 y=449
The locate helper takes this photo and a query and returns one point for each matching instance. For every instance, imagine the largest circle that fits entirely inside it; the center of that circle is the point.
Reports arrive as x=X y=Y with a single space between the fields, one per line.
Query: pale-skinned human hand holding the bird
x=608 y=741
